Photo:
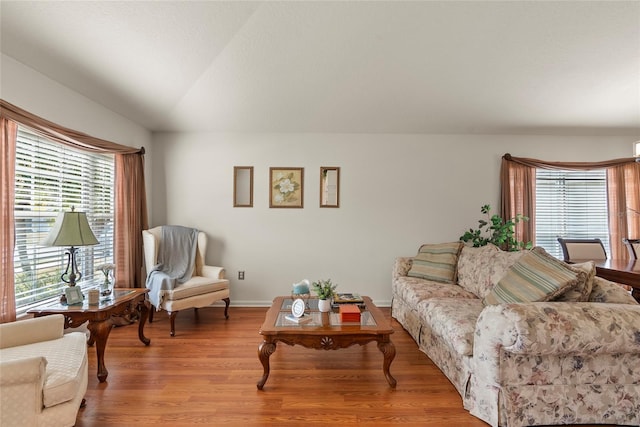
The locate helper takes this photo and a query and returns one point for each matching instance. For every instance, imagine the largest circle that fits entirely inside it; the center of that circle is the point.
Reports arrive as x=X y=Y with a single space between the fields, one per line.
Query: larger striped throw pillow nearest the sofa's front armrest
x=537 y=276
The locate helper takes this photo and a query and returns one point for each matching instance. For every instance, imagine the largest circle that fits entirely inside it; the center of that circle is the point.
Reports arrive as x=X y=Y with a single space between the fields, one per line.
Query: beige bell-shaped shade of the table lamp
x=71 y=229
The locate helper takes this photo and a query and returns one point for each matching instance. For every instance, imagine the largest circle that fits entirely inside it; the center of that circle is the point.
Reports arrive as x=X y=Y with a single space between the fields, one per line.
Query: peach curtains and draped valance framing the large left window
x=129 y=185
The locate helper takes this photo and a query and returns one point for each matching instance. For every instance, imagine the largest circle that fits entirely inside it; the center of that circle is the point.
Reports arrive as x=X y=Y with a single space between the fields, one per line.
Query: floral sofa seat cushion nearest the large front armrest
x=453 y=319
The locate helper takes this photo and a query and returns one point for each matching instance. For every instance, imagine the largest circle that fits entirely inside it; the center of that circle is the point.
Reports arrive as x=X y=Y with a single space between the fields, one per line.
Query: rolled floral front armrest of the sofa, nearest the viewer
x=554 y=328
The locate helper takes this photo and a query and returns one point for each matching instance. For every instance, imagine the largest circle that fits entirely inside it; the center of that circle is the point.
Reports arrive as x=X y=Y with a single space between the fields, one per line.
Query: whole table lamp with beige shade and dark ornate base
x=71 y=229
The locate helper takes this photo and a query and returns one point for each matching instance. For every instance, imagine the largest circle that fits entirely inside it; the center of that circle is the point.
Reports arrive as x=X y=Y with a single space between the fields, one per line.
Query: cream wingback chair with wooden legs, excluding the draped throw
x=206 y=286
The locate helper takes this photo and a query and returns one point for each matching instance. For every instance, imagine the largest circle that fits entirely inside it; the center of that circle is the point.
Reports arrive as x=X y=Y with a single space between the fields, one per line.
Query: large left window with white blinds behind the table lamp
x=50 y=178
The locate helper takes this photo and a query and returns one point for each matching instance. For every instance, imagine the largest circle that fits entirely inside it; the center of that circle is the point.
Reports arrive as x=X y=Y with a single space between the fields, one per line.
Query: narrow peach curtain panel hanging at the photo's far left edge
x=8 y=134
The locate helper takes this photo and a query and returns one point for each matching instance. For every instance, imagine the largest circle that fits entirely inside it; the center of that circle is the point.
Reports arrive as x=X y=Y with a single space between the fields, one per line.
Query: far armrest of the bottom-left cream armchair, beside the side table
x=30 y=331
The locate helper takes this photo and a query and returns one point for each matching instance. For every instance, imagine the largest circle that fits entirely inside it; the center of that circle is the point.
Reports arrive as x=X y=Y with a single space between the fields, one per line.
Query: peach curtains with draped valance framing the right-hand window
x=517 y=179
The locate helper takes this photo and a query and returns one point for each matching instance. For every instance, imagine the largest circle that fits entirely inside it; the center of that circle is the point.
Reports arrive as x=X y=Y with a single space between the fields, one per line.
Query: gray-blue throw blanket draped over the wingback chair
x=176 y=259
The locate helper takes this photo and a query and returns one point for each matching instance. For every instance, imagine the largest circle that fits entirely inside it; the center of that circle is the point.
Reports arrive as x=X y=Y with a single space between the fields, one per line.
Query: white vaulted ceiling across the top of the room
x=317 y=66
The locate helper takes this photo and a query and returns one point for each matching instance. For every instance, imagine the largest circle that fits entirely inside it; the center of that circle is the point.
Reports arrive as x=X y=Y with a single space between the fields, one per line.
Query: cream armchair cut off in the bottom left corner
x=43 y=373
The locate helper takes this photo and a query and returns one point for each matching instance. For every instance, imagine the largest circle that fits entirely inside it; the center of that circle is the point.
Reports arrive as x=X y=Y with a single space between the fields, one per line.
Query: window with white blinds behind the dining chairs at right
x=571 y=204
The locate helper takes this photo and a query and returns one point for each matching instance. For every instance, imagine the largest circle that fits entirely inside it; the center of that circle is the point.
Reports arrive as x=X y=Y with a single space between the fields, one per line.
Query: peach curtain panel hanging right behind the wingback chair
x=131 y=219
